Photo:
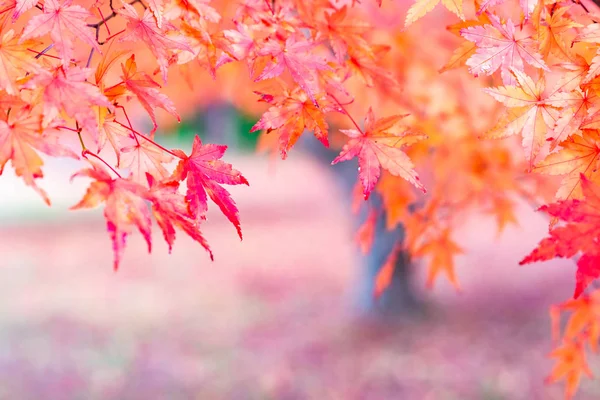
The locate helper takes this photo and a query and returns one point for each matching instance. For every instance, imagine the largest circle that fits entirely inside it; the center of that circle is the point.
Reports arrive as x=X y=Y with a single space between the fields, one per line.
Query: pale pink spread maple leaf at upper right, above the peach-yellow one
x=501 y=46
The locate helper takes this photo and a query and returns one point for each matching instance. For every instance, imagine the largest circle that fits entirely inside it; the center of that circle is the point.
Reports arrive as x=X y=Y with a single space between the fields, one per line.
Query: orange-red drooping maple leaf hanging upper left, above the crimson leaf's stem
x=145 y=89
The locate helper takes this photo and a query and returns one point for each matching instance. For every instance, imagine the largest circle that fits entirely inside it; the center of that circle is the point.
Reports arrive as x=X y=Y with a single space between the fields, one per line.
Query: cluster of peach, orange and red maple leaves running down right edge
x=543 y=66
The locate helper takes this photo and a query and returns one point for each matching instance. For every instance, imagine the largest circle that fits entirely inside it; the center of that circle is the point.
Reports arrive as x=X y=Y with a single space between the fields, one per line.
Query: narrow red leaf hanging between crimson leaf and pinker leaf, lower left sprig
x=171 y=210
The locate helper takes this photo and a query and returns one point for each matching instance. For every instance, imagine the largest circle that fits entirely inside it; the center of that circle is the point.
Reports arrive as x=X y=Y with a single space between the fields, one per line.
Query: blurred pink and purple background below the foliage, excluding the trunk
x=280 y=315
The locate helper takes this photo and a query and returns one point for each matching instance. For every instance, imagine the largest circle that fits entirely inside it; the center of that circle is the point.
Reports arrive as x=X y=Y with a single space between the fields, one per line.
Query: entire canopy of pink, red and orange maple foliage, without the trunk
x=76 y=75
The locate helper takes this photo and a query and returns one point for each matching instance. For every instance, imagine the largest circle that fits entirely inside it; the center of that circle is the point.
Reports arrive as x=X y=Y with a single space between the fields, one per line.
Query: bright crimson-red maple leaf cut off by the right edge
x=580 y=234
